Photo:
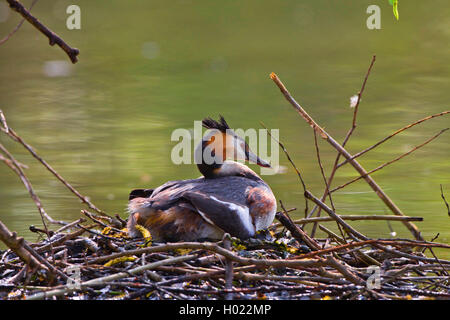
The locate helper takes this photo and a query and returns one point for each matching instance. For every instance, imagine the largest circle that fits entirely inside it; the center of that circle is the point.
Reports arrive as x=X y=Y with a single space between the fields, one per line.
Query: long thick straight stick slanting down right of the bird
x=381 y=194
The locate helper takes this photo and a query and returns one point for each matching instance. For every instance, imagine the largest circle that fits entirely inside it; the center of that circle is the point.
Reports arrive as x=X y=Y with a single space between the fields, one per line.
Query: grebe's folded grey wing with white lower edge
x=229 y=216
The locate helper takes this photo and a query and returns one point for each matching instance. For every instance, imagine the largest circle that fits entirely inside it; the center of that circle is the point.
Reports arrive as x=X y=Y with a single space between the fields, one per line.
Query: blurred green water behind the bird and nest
x=147 y=68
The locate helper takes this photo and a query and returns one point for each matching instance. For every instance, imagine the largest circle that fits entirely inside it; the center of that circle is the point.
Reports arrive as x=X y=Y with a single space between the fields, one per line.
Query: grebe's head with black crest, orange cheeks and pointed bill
x=219 y=144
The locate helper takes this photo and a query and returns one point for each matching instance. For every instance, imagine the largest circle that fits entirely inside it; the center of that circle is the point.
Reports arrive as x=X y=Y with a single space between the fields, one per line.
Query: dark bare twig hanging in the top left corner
x=52 y=37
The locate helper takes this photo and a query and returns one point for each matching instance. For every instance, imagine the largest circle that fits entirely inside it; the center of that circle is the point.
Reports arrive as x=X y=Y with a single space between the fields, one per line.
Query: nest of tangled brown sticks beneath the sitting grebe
x=93 y=257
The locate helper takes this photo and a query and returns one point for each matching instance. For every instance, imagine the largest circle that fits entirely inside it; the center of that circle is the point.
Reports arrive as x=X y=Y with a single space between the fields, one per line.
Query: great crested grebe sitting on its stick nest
x=228 y=198
